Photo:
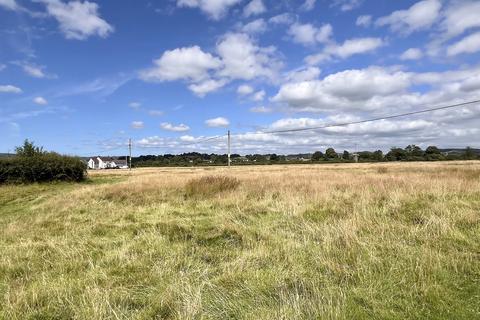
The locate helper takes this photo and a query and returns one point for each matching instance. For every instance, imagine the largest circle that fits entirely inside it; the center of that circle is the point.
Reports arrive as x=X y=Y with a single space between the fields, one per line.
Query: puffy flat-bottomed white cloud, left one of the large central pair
x=189 y=63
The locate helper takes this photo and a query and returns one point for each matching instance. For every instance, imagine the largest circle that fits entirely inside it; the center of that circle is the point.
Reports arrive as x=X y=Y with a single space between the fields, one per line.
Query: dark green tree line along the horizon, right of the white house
x=409 y=153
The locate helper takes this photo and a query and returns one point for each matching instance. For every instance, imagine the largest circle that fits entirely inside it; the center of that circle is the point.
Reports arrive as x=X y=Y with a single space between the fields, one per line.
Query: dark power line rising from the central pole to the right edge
x=366 y=120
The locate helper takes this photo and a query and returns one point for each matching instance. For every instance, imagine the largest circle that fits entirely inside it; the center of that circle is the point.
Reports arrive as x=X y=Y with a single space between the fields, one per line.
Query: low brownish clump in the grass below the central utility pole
x=210 y=185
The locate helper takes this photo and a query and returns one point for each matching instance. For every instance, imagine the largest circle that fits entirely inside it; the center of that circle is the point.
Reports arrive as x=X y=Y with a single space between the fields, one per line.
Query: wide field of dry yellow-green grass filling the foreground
x=386 y=241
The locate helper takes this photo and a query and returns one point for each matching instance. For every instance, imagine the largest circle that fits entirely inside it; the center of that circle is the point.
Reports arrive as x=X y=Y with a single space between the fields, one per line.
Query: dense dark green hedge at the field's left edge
x=42 y=167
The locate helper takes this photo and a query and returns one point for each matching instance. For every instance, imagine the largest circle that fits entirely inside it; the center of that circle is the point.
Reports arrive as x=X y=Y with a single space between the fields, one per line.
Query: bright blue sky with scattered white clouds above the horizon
x=82 y=77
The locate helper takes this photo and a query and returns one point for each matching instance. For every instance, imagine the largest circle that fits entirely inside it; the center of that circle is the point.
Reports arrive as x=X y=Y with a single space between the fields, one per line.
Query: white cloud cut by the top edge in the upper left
x=78 y=20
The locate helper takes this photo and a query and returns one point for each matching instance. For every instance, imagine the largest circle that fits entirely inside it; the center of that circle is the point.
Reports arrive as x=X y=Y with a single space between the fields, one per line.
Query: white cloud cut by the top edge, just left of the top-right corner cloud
x=421 y=16
